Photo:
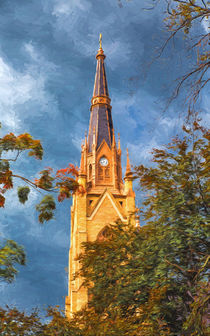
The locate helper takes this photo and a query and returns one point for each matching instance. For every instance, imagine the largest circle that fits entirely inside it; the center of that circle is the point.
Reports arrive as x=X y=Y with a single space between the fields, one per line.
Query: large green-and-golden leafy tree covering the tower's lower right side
x=153 y=280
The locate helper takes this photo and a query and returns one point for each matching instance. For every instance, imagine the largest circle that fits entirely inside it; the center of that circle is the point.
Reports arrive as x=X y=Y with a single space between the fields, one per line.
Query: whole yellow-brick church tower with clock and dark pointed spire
x=106 y=197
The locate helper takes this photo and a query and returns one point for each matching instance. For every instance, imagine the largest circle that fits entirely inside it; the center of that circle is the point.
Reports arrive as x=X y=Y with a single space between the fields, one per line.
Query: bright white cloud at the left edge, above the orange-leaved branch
x=23 y=93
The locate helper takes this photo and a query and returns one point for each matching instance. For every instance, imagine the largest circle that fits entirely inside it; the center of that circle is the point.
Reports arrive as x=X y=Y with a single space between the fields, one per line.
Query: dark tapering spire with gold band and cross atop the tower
x=101 y=117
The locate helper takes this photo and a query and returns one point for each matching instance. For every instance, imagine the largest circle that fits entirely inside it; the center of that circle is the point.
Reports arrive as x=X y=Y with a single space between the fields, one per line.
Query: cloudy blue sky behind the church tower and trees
x=47 y=69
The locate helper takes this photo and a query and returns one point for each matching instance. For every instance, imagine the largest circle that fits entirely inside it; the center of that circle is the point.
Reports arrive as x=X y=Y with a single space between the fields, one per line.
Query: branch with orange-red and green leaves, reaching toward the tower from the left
x=63 y=182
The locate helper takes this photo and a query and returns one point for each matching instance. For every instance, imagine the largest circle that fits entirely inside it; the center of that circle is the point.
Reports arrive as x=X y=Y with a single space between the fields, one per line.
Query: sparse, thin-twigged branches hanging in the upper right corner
x=187 y=16
